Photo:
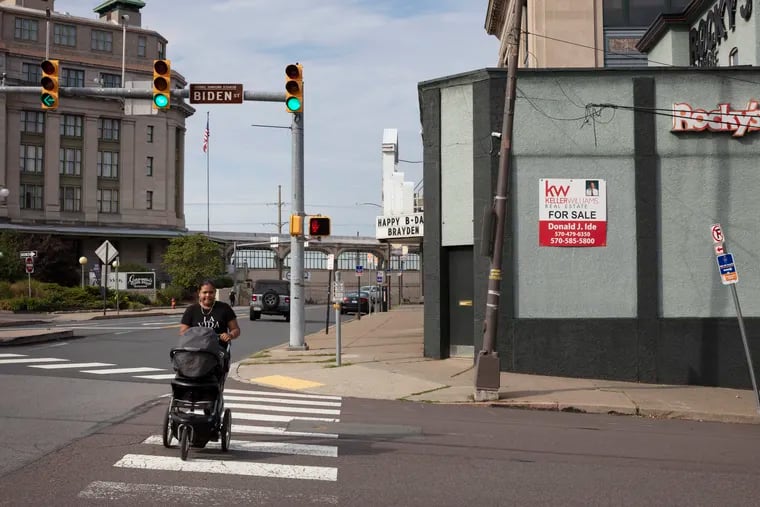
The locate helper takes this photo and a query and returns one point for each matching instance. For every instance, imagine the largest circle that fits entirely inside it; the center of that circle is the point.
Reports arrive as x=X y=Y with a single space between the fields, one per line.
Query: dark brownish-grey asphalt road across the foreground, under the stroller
x=399 y=453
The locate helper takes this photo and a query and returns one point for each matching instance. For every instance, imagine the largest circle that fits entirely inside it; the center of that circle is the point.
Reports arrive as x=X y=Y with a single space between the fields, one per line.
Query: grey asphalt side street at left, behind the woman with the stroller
x=54 y=393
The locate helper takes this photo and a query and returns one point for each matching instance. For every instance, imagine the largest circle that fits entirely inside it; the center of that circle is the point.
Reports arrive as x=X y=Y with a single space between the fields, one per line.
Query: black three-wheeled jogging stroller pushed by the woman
x=196 y=412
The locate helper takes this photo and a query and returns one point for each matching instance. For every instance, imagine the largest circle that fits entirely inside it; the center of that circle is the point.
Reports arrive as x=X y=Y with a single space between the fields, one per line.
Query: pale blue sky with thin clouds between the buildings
x=362 y=61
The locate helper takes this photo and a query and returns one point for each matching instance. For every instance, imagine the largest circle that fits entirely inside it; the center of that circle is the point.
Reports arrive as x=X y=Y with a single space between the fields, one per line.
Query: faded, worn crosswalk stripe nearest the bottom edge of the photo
x=108 y=492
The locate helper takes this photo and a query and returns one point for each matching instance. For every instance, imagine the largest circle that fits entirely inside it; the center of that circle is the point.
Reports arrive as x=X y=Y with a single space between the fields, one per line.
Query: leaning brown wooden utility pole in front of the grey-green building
x=487 y=372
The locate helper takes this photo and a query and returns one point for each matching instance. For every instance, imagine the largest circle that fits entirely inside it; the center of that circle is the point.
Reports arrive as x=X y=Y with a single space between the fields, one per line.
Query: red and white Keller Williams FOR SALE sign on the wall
x=572 y=212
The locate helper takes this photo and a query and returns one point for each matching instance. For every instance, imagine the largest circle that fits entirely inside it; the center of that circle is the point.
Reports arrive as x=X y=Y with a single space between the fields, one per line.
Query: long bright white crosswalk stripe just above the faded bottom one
x=209 y=466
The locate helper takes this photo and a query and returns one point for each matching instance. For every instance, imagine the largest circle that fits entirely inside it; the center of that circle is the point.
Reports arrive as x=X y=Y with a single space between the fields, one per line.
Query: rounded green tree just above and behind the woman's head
x=191 y=259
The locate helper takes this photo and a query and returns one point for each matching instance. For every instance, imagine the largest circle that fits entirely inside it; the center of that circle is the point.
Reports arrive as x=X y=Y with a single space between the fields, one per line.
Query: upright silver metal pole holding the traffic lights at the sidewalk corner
x=297 y=304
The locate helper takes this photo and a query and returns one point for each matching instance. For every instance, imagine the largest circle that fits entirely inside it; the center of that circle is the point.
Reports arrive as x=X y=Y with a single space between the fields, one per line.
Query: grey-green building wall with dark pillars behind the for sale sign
x=649 y=305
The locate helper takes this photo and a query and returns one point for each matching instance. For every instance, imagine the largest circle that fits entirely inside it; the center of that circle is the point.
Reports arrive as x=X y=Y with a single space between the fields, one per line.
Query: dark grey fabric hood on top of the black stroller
x=198 y=353
